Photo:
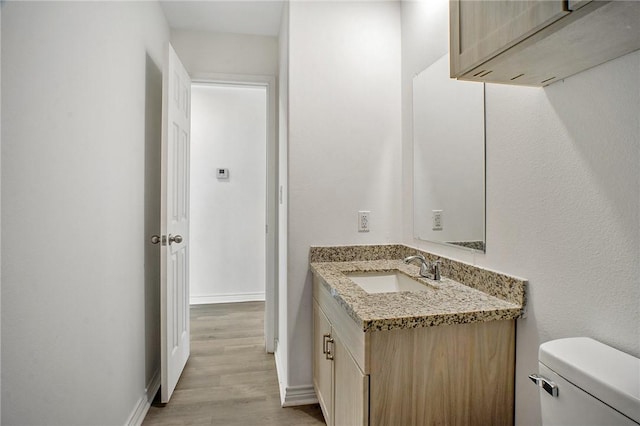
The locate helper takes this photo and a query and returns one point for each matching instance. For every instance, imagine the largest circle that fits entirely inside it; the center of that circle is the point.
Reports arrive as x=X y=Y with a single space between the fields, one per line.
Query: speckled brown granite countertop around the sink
x=446 y=302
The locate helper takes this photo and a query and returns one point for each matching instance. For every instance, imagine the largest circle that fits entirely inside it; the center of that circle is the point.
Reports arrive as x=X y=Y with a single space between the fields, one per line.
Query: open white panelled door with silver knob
x=176 y=102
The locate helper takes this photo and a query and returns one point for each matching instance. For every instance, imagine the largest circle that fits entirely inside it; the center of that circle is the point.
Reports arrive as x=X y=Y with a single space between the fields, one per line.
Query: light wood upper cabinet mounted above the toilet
x=538 y=42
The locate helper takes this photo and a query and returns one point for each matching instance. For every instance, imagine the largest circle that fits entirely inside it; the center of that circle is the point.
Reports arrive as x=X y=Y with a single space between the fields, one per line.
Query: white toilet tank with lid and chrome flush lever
x=584 y=382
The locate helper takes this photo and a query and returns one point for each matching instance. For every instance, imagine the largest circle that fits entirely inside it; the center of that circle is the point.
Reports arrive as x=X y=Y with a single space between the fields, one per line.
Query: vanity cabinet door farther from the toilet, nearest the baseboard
x=322 y=363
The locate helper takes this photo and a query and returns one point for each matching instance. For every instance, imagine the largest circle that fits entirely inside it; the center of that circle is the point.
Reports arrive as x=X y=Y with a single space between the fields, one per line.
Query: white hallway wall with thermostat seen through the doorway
x=228 y=130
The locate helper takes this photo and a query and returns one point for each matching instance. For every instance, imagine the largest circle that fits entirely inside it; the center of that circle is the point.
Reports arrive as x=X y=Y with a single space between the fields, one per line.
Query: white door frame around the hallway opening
x=271 y=236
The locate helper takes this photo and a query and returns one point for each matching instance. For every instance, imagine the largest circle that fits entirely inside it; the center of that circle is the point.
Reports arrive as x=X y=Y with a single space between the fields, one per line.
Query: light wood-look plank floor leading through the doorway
x=229 y=378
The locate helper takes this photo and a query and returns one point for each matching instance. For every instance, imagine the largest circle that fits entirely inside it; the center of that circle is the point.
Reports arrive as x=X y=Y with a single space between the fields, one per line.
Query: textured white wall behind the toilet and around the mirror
x=563 y=202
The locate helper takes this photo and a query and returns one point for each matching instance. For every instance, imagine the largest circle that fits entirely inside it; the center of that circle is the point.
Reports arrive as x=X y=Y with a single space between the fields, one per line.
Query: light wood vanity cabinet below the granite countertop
x=459 y=374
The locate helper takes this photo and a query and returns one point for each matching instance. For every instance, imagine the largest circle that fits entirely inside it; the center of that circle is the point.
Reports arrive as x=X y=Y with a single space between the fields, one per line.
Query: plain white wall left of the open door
x=74 y=103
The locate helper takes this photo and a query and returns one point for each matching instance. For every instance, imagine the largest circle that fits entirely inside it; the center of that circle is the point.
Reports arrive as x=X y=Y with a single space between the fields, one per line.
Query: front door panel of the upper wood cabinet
x=481 y=29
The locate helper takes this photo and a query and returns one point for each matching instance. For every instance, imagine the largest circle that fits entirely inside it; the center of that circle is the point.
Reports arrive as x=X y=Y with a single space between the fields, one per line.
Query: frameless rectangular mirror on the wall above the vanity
x=448 y=159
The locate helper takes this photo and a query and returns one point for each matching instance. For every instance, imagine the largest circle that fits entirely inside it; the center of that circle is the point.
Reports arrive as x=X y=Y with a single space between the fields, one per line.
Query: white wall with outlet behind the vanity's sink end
x=344 y=143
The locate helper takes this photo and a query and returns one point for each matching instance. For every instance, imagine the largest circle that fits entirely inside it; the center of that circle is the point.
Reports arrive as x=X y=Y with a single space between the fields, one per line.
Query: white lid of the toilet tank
x=608 y=374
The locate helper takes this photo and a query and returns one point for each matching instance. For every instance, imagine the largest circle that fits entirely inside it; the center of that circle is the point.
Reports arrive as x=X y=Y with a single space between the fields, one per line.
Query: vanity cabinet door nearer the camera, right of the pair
x=351 y=387
